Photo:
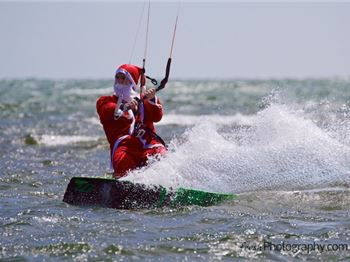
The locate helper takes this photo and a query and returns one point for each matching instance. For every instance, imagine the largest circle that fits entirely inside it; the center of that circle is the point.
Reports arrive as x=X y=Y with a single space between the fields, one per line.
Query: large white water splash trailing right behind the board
x=282 y=149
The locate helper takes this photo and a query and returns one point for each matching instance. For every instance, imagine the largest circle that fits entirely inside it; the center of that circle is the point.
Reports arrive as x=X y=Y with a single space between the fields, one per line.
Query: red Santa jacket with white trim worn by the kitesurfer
x=118 y=129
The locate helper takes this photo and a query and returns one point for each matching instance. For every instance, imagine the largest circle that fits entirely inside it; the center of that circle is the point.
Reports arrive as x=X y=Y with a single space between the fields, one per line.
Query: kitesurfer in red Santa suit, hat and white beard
x=127 y=118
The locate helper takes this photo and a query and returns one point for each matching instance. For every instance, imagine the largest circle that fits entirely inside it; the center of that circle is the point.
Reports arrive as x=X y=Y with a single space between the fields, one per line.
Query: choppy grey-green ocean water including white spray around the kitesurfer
x=281 y=145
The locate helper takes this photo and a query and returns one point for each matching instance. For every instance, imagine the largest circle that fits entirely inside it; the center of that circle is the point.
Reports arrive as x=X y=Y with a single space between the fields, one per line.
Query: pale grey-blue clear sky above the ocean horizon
x=225 y=40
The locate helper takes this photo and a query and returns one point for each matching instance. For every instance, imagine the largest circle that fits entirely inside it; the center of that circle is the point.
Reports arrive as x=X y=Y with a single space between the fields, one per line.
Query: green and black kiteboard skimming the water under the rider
x=91 y=191
